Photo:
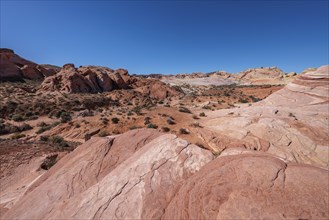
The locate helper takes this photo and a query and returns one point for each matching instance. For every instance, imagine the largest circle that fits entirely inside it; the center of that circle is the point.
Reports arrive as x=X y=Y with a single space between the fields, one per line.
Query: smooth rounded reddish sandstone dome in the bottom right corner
x=252 y=186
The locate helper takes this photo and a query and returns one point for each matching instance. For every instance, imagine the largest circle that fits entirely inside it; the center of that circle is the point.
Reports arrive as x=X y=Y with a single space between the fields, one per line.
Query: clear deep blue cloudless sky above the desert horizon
x=169 y=36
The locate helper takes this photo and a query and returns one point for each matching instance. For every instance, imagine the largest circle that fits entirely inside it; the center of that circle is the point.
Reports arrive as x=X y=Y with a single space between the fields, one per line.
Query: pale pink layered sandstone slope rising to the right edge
x=292 y=123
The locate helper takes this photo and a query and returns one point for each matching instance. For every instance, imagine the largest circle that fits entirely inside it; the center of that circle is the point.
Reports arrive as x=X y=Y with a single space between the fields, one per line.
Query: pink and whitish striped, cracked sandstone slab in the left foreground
x=133 y=175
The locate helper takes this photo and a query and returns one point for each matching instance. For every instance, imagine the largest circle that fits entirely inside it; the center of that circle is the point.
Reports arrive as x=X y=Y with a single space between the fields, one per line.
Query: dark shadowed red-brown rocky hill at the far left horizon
x=15 y=68
